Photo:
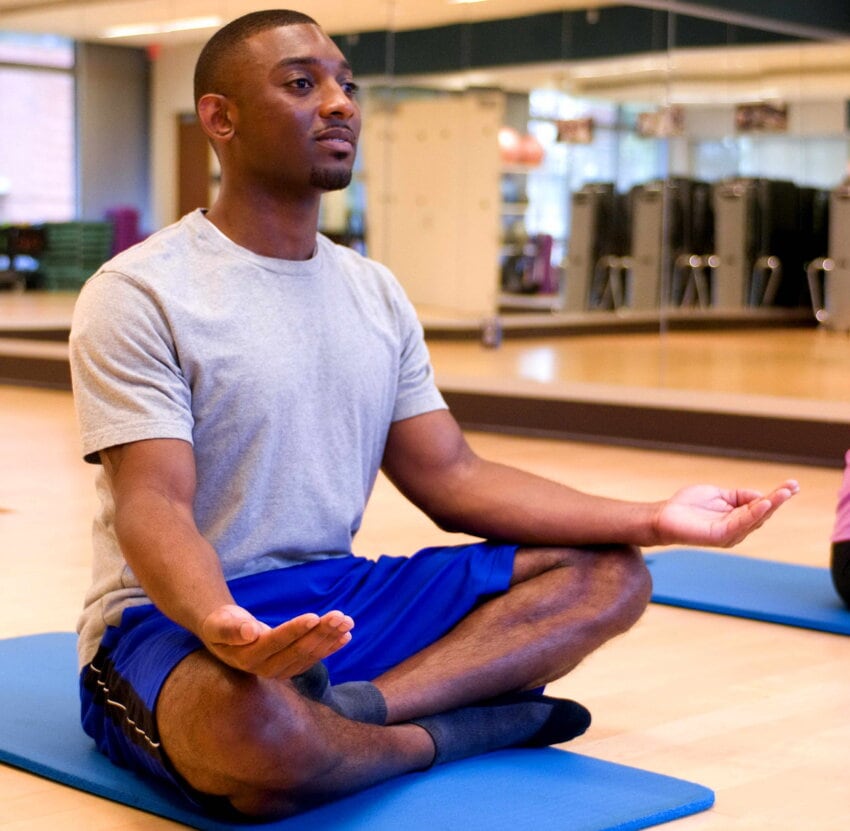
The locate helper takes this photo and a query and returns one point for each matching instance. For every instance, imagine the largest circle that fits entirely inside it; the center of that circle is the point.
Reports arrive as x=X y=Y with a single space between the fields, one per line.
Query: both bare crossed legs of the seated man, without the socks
x=273 y=752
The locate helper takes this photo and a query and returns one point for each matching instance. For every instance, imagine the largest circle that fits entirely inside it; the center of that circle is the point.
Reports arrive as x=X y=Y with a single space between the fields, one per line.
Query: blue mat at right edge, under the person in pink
x=730 y=584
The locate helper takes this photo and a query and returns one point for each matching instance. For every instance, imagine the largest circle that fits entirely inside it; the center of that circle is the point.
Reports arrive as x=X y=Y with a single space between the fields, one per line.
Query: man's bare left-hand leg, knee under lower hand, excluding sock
x=268 y=749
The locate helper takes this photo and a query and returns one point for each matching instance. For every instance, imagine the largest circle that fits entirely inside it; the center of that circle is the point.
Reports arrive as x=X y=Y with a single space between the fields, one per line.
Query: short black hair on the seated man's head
x=211 y=68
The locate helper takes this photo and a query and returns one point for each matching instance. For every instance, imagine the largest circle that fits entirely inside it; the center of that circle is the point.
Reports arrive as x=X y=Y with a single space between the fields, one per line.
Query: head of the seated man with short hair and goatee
x=277 y=99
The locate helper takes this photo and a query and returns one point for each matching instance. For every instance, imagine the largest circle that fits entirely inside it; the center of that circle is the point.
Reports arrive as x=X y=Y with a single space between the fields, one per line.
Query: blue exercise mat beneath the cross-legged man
x=511 y=790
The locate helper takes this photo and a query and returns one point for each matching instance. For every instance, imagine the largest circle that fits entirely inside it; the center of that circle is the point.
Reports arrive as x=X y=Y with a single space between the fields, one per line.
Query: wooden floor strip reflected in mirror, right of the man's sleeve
x=798 y=363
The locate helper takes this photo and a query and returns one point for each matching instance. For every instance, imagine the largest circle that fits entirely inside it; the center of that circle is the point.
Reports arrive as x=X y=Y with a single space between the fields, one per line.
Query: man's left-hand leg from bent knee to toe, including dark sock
x=272 y=751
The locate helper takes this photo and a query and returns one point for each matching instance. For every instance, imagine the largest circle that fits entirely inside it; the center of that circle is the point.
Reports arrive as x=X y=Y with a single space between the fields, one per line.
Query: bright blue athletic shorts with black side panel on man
x=428 y=592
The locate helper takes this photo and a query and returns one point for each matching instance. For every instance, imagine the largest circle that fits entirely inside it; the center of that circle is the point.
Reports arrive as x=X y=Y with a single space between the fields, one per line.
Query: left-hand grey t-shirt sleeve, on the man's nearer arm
x=126 y=376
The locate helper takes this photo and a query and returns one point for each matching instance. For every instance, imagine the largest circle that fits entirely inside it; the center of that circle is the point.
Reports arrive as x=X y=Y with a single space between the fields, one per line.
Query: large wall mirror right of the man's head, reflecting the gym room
x=681 y=188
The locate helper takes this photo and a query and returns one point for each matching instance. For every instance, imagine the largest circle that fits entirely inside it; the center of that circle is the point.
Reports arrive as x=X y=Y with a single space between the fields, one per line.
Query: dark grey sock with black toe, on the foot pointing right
x=520 y=720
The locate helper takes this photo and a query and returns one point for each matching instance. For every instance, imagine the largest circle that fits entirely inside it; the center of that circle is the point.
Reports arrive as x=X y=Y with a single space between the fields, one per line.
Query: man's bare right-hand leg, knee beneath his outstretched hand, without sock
x=562 y=605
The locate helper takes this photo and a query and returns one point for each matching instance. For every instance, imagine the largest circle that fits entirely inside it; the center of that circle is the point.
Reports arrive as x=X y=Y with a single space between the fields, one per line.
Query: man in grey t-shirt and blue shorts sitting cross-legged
x=242 y=380
